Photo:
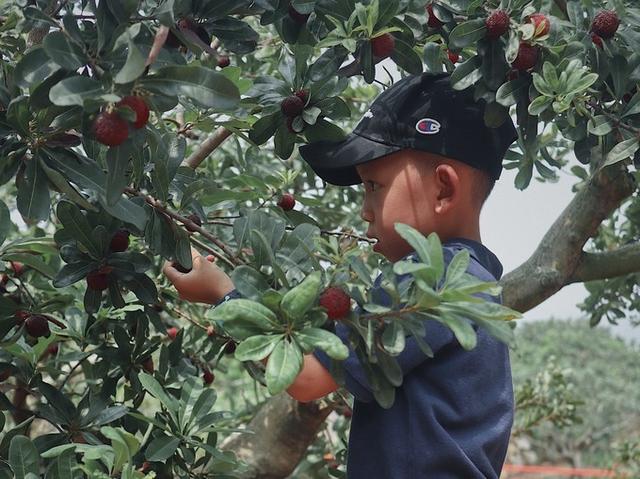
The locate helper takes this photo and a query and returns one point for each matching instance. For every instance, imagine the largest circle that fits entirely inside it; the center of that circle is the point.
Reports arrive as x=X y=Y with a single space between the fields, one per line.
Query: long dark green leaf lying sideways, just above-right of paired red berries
x=203 y=86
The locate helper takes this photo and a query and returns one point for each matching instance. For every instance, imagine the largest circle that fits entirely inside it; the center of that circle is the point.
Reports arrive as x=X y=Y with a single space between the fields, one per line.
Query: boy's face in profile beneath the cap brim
x=402 y=188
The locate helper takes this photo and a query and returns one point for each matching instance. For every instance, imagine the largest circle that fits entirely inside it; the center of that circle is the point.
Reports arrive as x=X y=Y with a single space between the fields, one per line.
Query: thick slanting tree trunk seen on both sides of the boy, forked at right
x=284 y=428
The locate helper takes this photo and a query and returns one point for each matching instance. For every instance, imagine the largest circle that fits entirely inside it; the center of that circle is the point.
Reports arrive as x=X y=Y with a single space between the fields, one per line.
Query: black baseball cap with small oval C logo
x=421 y=112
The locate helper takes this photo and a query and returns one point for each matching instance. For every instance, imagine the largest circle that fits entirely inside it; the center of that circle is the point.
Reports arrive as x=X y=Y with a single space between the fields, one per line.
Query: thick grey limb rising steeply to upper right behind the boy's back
x=554 y=263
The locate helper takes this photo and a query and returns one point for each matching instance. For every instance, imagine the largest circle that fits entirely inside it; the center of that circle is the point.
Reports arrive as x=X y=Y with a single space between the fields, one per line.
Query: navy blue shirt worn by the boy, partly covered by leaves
x=453 y=413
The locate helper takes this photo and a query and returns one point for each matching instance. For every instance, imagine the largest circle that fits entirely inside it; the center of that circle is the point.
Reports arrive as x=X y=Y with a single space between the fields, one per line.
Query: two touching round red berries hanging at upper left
x=110 y=129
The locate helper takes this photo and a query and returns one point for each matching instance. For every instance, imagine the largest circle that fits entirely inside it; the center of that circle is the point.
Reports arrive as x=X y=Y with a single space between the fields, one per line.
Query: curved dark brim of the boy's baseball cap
x=335 y=162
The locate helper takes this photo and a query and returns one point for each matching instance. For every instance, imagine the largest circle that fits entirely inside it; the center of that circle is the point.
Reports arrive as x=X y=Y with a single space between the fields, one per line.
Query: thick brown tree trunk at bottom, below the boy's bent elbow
x=283 y=429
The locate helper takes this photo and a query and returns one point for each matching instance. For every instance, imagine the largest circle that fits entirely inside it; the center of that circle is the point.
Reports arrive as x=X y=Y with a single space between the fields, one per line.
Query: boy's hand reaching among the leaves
x=205 y=283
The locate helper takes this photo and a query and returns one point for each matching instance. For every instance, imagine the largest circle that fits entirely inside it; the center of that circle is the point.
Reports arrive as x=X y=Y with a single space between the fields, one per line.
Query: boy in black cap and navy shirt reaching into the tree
x=426 y=159
